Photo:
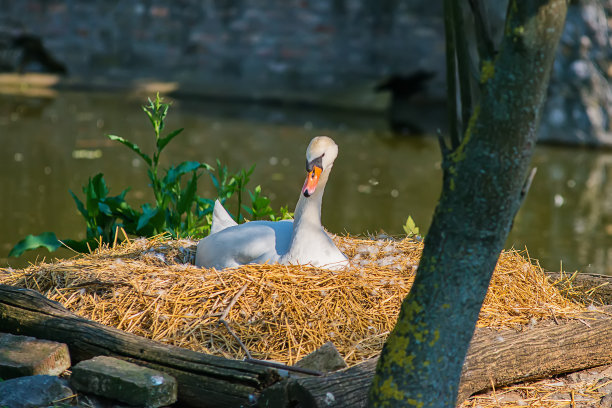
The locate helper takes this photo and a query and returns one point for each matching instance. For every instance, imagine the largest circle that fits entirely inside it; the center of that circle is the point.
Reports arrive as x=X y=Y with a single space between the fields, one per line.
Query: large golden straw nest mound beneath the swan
x=280 y=313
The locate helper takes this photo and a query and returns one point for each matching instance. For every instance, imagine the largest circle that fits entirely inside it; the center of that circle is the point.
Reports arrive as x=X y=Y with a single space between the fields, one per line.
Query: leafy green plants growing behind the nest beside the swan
x=177 y=211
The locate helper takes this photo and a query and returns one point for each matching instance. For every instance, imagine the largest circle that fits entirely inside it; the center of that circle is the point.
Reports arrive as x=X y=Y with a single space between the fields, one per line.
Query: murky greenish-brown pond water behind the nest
x=54 y=142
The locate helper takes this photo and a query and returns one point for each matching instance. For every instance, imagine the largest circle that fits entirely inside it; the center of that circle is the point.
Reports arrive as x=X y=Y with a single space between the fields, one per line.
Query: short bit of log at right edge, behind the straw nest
x=594 y=286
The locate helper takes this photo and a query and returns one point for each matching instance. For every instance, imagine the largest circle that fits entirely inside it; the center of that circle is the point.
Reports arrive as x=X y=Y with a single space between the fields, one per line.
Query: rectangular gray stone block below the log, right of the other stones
x=123 y=381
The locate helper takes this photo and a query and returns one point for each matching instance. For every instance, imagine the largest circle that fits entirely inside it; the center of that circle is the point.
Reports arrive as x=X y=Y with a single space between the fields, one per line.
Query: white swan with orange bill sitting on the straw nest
x=301 y=241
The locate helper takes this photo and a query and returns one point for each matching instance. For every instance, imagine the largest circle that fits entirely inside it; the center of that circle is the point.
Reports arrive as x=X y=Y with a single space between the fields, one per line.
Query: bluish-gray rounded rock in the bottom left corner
x=33 y=392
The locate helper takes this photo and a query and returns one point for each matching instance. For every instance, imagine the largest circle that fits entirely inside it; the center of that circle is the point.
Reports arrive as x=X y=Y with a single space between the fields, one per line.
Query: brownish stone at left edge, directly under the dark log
x=24 y=356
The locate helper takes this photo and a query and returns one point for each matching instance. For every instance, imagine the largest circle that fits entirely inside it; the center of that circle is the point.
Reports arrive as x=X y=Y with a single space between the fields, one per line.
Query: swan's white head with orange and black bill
x=320 y=156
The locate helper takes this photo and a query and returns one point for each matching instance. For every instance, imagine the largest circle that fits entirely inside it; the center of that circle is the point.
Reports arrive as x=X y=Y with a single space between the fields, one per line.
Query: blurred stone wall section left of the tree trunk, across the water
x=254 y=45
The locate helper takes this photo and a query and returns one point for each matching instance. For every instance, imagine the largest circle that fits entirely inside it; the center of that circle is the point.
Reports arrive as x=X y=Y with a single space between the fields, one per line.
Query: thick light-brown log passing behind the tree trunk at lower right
x=494 y=358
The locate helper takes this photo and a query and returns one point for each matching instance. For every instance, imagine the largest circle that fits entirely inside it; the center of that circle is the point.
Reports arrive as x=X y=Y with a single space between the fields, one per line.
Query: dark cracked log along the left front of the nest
x=204 y=380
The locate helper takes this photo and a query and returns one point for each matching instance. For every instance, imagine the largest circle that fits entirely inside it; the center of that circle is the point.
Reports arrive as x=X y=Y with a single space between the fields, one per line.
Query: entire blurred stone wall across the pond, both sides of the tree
x=329 y=52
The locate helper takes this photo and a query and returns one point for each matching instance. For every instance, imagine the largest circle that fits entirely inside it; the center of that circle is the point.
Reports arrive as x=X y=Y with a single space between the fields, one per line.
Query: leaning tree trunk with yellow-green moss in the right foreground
x=483 y=187
